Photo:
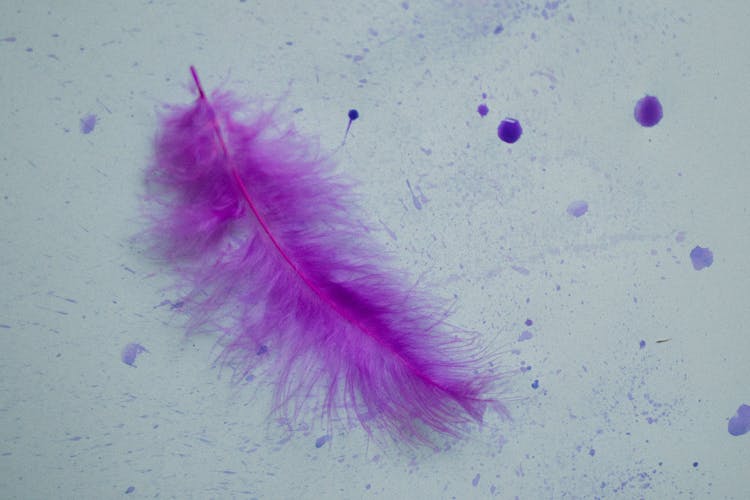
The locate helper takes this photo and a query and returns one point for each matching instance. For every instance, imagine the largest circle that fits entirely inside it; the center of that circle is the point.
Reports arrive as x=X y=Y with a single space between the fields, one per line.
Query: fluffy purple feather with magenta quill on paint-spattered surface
x=264 y=236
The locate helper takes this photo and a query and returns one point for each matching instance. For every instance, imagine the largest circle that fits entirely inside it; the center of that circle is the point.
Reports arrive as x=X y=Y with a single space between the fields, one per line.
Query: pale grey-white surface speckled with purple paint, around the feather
x=489 y=225
